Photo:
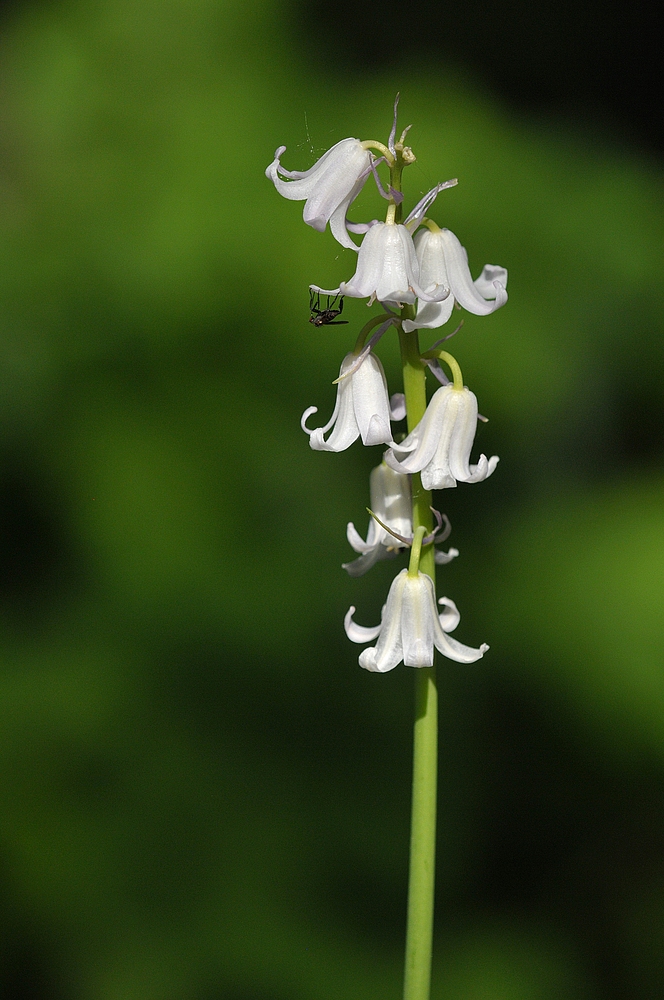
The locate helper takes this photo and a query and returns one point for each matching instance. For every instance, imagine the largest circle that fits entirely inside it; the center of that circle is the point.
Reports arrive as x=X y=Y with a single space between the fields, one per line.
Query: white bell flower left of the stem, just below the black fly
x=362 y=408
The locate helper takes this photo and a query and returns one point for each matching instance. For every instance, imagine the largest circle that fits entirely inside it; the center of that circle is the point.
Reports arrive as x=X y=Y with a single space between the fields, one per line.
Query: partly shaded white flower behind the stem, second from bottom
x=391 y=502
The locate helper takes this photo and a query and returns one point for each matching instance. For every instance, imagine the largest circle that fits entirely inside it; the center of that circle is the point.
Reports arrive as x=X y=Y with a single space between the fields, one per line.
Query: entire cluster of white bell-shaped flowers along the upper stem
x=418 y=272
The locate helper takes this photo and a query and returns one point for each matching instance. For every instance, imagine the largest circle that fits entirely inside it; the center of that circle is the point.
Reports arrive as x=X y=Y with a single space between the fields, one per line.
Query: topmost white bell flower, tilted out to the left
x=328 y=187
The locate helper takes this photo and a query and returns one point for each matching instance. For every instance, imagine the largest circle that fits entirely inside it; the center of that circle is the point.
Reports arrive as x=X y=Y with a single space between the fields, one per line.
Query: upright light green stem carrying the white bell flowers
x=419 y=929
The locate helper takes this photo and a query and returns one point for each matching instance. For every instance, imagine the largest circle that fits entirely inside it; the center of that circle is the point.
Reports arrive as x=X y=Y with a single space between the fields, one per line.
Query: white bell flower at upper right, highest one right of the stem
x=443 y=263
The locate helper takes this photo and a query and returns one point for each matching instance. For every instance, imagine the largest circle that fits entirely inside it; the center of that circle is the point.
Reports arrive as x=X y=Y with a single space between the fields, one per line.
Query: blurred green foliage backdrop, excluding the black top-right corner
x=203 y=796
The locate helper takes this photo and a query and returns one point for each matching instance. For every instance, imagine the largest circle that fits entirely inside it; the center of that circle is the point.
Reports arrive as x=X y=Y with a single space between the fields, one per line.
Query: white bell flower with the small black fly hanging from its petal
x=387 y=268
